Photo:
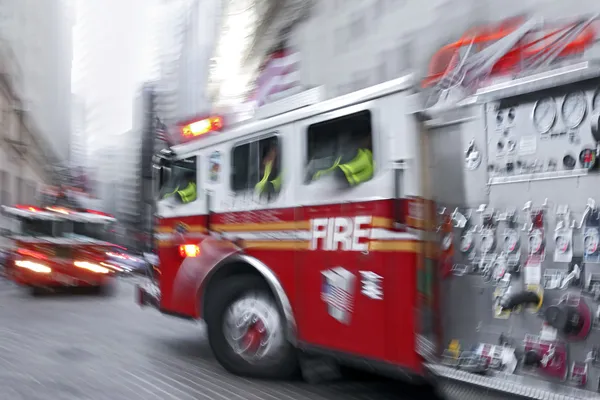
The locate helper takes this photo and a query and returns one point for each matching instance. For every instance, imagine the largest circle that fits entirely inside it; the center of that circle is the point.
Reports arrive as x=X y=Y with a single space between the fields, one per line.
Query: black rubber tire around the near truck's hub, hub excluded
x=286 y=366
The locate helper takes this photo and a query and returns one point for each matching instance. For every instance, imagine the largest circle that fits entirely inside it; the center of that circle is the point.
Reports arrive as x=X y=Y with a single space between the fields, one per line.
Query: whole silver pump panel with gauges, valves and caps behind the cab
x=521 y=298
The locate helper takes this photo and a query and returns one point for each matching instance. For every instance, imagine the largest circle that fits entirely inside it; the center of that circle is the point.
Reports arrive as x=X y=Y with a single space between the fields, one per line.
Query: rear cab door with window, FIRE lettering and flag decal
x=335 y=312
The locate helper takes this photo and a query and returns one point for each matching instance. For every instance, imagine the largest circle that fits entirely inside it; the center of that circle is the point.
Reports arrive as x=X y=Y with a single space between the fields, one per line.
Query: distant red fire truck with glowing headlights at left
x=59 y=247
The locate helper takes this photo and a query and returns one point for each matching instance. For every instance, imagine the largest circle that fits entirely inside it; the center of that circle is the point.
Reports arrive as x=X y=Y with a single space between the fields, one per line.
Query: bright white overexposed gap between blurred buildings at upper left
x=107 y=64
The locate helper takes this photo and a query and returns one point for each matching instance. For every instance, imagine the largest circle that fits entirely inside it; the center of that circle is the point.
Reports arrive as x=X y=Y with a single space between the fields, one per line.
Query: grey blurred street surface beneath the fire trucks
x=77 y=346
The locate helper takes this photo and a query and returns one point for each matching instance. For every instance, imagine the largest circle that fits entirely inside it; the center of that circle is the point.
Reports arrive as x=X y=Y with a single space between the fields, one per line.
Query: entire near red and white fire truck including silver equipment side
x=311 y=229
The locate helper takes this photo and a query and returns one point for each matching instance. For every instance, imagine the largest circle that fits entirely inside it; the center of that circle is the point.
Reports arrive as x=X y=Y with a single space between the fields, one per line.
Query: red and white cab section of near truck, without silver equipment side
x=306 y=234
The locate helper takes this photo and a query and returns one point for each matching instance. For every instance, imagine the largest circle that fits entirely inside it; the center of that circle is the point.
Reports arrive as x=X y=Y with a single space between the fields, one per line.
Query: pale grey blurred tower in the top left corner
x=40 y=34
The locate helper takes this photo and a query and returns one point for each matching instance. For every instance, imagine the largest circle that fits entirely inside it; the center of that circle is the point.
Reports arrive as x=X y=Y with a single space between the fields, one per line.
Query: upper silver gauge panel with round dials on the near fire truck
x=546 y=132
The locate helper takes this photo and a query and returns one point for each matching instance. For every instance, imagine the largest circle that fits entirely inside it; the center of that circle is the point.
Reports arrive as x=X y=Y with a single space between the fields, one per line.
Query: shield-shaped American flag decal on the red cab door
x=338 y=293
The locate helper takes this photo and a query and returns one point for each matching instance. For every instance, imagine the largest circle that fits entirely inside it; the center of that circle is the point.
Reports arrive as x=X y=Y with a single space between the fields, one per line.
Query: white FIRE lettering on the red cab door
x=340 y=233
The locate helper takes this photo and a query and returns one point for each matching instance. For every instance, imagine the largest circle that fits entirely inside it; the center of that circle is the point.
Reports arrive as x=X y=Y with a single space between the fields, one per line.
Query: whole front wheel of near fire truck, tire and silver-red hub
x=246 y=330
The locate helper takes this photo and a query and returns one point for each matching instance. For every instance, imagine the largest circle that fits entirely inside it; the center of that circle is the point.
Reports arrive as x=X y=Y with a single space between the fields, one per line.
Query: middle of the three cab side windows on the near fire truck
x=256 y=167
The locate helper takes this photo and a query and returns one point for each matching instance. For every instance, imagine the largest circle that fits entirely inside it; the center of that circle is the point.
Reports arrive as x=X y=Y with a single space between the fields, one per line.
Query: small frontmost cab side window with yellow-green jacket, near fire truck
x=179 y=181
